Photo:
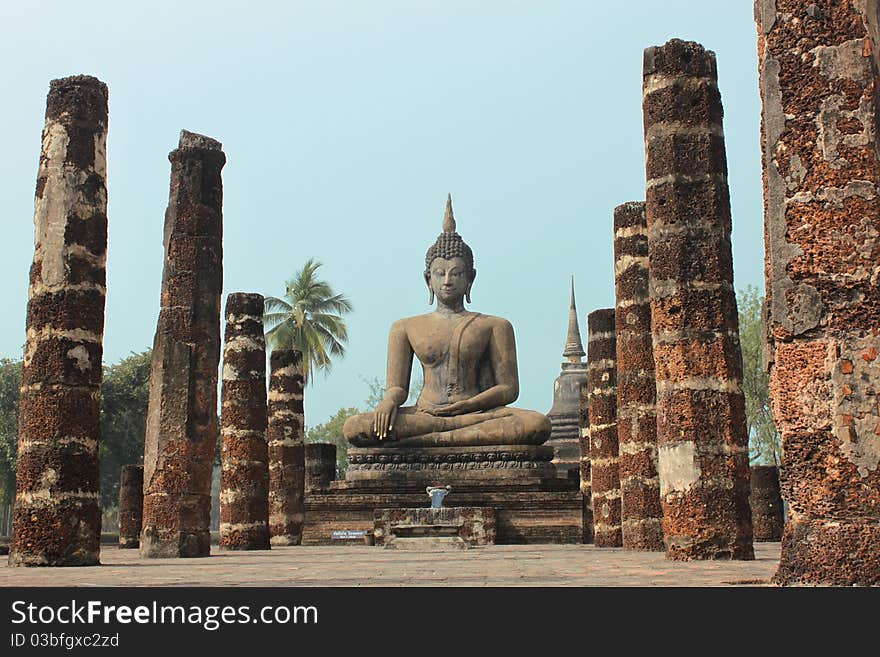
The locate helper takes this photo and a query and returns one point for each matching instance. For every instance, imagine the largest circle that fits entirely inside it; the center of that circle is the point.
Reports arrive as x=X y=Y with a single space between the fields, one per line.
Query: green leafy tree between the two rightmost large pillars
x=764 y=440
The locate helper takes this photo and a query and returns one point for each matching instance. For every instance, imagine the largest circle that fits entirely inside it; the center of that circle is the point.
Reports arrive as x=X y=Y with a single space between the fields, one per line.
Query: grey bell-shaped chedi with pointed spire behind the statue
x=564 y=413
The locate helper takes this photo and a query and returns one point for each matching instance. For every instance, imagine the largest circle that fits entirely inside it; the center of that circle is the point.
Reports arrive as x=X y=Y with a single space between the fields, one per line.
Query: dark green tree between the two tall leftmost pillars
x=125 y=393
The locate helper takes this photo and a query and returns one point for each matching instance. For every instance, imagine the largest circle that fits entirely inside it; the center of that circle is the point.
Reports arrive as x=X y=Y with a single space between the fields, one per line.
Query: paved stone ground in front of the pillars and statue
x=356 y=565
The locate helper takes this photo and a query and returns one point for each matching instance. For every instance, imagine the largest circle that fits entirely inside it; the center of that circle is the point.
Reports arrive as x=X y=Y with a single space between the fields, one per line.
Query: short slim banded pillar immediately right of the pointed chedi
x=604 y=472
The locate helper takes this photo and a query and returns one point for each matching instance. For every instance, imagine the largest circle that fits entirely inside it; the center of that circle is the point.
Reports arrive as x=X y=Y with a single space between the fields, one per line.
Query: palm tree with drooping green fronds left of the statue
x=308 y=318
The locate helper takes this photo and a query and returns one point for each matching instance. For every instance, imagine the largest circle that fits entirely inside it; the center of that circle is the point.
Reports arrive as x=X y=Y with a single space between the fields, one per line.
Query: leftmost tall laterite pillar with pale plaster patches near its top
x=57 y=511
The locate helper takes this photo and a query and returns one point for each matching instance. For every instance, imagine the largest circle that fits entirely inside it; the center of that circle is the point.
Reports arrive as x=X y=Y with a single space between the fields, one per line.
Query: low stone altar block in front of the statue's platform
x=434 y=529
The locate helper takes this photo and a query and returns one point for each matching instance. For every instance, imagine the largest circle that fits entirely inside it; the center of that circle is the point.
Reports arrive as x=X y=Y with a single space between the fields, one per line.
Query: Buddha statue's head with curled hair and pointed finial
x=449 y=263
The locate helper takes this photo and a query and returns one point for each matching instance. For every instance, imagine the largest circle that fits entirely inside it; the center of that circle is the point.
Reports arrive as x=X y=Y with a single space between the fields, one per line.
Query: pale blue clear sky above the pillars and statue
x=346 y=123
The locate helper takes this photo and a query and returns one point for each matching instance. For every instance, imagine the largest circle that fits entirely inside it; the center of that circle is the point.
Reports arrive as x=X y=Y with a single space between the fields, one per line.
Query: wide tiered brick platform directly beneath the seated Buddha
x=533 y=503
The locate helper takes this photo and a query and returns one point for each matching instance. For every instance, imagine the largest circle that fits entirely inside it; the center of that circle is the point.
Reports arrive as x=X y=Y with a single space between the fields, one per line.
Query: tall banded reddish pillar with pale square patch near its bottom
x=701 y=430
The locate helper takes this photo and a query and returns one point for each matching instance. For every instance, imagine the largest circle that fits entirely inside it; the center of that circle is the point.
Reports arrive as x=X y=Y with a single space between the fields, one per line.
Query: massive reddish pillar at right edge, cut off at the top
x=819 y=68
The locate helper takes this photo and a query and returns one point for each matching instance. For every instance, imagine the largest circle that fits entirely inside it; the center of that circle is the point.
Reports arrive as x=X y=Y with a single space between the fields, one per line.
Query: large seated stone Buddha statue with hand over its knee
x=469 y=364
